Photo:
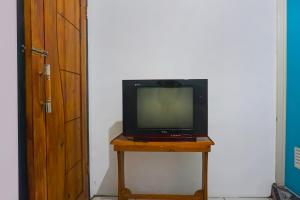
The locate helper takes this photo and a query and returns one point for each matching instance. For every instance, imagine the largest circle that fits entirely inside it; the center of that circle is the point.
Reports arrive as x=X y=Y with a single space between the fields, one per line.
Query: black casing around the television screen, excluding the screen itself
x=200 y=124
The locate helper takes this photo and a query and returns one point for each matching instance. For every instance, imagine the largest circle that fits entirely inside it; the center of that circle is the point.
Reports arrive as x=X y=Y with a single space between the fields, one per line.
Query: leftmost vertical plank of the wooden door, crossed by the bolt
x=37 y=137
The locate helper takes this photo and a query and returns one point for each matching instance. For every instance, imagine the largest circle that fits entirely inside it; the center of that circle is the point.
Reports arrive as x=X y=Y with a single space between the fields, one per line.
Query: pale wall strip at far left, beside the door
x=8 y=102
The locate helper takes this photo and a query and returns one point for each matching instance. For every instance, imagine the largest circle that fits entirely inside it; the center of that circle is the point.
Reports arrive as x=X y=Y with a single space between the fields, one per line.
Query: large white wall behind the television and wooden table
x=230 y=42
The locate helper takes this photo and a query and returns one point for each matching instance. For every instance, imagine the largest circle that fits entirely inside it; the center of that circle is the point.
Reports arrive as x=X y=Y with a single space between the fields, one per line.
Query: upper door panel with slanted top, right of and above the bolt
x=68 y=45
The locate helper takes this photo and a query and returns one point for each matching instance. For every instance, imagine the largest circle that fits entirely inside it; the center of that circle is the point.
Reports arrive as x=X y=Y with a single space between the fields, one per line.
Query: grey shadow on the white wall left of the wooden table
x=110 y=178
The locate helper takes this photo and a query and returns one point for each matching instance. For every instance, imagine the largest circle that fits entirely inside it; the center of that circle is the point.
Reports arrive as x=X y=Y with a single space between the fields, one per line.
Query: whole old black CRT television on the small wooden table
x=165 y=109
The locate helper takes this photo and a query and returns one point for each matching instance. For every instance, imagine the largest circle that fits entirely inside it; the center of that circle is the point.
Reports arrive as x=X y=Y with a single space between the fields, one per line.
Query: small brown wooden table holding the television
x=122 y=144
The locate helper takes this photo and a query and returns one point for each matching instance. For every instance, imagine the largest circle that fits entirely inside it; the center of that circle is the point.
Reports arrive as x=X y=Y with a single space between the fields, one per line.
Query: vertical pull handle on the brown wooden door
x=47 y=104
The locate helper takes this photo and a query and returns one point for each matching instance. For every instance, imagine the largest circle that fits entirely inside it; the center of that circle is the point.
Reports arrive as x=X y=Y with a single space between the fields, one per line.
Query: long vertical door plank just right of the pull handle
x=55 y=119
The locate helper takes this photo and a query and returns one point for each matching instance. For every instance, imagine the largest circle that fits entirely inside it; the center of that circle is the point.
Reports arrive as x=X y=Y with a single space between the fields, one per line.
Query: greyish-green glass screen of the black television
x=159 y=107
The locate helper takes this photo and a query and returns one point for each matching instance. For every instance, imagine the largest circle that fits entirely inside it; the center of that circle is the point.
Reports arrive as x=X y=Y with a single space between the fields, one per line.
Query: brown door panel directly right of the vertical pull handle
x=72 y=96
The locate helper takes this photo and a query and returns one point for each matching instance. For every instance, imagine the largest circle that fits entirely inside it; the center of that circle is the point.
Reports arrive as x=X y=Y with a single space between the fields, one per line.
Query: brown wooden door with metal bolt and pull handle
x=57 y=158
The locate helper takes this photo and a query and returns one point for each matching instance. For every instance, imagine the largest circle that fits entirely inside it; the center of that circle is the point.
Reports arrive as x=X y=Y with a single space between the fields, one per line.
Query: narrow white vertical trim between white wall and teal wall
x=281 y=91
